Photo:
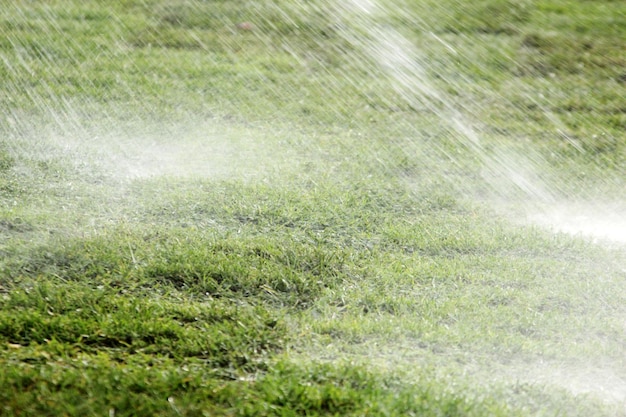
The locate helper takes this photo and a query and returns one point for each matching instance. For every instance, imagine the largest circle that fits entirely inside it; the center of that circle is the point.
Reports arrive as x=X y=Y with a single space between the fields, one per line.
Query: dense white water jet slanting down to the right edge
x=514 y=179
